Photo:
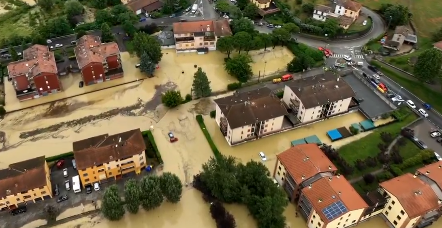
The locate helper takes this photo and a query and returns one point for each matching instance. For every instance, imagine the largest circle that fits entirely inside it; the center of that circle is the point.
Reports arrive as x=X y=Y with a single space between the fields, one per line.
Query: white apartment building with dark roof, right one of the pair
x=318 y=97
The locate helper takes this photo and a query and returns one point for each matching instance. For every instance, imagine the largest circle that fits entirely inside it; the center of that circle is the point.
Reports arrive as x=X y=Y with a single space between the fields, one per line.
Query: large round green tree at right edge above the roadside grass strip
x=428 y=65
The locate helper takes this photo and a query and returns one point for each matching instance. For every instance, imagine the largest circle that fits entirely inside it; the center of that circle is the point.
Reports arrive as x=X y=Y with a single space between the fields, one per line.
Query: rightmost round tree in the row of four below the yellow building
x=171 y=187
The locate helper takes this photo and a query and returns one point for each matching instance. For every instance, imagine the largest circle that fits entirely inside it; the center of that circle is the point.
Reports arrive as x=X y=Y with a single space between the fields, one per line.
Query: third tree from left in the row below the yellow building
x=151 y=196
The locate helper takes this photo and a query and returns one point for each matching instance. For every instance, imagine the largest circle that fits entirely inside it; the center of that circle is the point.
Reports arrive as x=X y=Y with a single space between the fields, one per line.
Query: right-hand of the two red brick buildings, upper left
x=98 y=61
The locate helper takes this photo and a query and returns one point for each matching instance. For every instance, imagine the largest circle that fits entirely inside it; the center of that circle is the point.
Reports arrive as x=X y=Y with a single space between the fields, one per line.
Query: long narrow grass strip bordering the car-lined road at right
x=419 y=89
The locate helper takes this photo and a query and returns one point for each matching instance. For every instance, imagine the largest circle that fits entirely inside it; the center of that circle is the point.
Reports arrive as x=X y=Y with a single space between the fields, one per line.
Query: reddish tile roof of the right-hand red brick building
x=90 y=50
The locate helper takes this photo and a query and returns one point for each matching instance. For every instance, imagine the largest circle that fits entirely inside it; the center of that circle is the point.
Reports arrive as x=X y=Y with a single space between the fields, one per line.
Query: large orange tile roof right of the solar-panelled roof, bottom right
x=415 y=196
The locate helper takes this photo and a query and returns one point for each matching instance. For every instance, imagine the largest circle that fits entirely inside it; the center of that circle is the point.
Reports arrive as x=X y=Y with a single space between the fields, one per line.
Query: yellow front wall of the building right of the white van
x=112 y=169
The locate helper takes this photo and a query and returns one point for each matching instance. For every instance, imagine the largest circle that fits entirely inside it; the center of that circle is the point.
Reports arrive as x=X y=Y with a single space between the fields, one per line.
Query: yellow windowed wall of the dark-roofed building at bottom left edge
x=30 y=195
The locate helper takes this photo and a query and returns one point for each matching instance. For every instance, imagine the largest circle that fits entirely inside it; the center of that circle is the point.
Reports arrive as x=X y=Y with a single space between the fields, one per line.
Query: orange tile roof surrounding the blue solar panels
x=327 y=190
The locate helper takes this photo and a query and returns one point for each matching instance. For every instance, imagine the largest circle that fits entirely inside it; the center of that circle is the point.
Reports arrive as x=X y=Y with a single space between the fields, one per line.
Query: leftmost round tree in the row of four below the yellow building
x=111 y=204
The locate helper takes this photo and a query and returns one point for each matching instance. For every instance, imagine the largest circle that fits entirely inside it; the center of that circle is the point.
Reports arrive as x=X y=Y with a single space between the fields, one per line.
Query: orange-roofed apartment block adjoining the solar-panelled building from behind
x=299 y=166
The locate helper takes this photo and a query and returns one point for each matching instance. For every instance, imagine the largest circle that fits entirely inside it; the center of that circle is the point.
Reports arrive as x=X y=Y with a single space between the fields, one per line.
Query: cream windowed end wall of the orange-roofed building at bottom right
x=395 y=213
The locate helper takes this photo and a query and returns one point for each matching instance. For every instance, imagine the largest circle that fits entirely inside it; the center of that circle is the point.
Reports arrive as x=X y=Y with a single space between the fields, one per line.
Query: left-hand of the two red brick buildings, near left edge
x=36 y=74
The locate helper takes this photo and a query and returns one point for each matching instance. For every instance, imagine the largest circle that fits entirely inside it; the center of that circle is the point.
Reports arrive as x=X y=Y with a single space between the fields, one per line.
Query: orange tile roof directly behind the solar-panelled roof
x=305 y=161
